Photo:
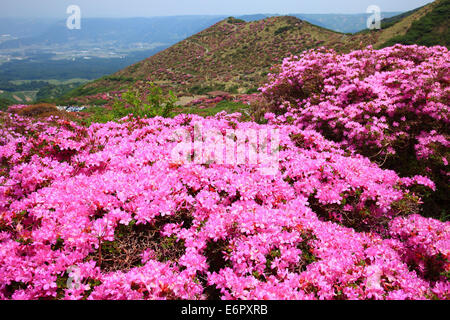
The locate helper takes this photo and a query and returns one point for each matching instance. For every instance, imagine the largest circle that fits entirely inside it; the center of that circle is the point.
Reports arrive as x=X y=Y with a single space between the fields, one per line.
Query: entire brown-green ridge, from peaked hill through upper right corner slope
x=235 y=55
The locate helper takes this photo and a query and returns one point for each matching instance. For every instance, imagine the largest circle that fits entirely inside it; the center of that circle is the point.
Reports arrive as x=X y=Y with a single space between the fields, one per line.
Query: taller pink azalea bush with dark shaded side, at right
x=390 y=105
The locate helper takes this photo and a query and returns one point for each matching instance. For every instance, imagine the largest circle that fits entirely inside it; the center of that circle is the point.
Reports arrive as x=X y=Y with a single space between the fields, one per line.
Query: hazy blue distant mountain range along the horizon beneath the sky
x=166 y=30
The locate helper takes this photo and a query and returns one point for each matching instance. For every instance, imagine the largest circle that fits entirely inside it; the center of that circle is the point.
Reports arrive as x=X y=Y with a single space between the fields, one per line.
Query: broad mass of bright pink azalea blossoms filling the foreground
x=103 y=213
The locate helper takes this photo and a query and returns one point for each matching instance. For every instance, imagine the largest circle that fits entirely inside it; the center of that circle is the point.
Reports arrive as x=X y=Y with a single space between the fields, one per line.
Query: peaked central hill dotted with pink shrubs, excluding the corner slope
x=232 y=55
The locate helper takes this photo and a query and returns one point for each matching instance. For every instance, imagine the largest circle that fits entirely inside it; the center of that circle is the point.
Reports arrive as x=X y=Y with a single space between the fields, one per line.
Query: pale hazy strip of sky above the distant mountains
x=147 y=8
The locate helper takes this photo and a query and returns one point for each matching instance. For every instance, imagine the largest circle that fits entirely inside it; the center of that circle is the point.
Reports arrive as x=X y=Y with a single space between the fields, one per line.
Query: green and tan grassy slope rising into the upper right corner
x=427 y=25
